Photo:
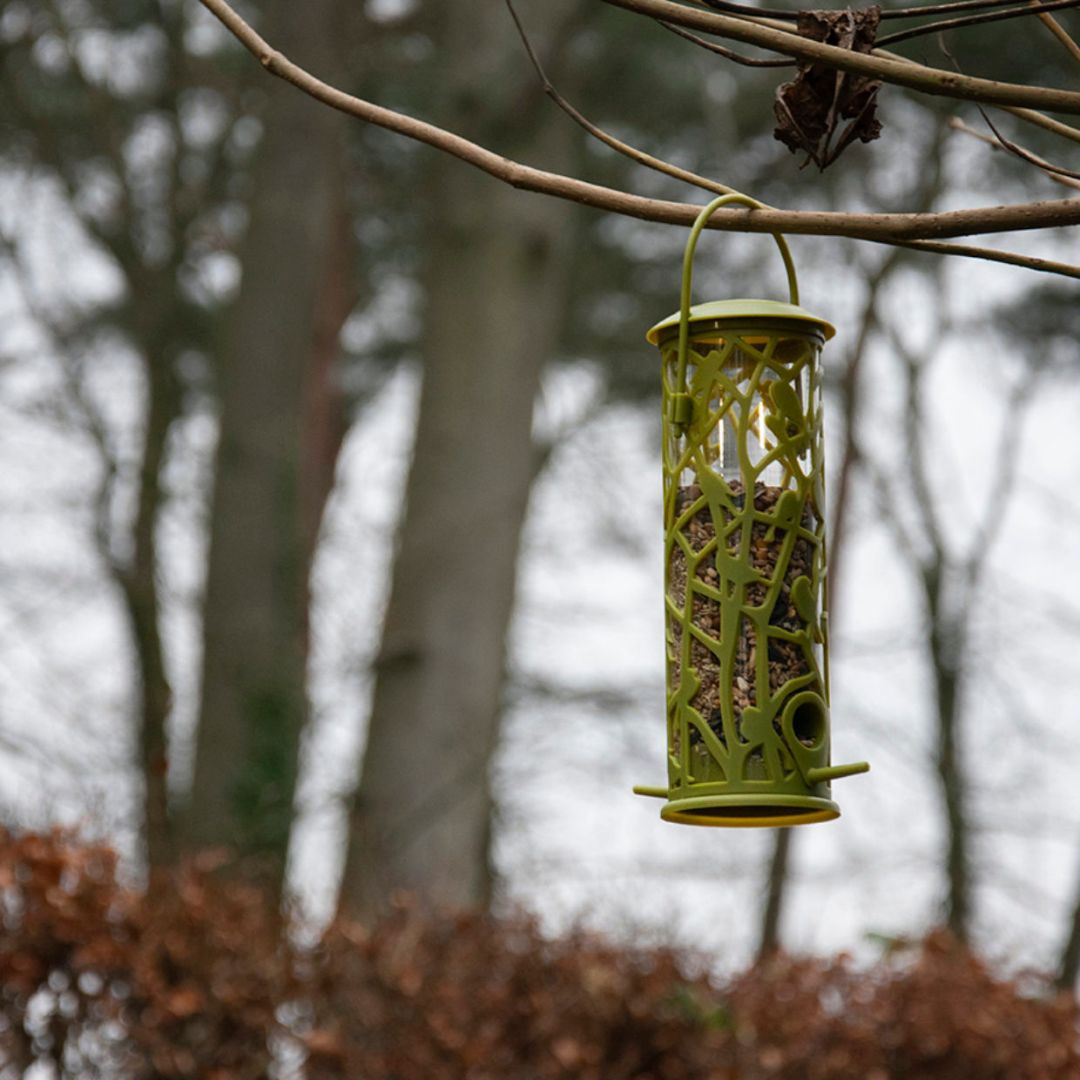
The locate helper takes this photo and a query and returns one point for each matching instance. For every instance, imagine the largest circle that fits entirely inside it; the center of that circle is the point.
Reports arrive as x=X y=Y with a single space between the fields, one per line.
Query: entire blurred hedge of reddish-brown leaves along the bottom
x=191 y=979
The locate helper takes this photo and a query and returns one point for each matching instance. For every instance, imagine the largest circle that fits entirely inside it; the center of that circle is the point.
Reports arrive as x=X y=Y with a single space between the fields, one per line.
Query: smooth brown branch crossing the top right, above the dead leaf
x=893 y=70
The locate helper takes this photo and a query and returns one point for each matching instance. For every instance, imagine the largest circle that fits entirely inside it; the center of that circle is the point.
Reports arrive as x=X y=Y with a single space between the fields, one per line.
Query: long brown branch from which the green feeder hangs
x=883 y=228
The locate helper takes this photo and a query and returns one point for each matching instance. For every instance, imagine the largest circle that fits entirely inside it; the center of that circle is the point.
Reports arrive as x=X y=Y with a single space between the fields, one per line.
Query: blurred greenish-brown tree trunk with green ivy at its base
x=276 y=455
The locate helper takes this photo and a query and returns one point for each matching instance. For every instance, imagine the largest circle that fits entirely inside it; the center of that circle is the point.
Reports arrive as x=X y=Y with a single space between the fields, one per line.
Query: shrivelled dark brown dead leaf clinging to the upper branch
x=812 y=107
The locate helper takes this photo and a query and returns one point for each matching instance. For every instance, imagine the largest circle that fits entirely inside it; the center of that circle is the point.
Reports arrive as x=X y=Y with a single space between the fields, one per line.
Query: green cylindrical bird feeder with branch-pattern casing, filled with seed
x=745 y=560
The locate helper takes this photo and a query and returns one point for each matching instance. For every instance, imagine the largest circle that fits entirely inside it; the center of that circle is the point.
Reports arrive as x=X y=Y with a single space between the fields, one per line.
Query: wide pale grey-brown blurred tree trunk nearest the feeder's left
x=495 y=305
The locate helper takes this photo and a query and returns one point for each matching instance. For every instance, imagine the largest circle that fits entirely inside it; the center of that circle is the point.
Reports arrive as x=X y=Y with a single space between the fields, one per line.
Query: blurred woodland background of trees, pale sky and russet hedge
x=331 y=568
